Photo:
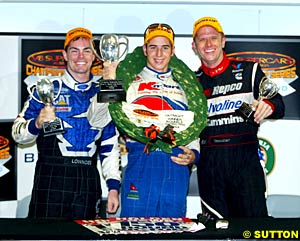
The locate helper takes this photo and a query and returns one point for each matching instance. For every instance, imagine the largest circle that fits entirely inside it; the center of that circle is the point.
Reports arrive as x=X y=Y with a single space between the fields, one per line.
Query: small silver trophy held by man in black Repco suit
x=267 y=90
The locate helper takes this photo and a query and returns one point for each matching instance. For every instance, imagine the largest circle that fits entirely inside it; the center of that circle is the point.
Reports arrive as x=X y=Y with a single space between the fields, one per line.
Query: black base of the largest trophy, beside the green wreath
x=111 y=91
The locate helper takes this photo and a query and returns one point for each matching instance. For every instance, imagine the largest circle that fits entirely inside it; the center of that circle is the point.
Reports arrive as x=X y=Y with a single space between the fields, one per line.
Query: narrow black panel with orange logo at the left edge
x=8 y=188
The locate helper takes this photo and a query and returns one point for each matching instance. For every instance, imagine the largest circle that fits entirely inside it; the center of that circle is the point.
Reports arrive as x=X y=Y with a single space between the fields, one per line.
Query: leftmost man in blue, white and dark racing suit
x=67 y=181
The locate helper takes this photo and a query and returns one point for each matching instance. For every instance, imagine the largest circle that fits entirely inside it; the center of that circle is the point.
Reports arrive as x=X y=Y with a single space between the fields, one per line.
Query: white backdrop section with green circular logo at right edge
x=280 y=155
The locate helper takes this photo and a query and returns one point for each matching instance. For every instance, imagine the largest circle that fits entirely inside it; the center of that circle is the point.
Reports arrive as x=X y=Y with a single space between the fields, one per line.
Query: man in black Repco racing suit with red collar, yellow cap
x=230 y=176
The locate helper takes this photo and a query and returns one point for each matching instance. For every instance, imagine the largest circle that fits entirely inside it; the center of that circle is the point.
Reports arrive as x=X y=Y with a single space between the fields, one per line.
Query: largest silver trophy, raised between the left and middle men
x=111 y=90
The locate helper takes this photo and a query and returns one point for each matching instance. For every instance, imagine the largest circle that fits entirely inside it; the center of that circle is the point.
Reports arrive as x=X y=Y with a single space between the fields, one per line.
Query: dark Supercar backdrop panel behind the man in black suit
x=279 y=59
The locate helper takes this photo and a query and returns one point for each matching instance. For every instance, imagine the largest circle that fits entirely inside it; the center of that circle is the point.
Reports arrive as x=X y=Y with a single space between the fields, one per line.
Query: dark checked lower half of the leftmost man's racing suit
x=71 y=193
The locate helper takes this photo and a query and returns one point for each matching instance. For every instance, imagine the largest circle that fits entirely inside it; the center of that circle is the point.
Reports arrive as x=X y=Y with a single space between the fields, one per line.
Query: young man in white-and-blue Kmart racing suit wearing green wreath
x=155 y=182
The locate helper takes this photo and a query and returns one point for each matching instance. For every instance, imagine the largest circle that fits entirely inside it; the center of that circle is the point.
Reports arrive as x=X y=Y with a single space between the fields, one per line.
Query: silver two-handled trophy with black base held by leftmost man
x=45 y=91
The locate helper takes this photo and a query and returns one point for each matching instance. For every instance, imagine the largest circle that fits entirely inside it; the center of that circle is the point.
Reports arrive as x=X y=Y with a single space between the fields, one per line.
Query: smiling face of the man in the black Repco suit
x=208 y=44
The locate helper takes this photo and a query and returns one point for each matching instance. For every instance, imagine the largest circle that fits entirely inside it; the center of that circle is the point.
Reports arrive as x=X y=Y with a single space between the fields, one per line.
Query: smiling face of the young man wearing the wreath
x=159 y=52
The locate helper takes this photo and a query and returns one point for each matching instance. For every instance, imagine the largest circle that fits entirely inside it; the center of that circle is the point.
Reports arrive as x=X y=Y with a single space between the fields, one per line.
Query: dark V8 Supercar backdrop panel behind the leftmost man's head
x=43 y=56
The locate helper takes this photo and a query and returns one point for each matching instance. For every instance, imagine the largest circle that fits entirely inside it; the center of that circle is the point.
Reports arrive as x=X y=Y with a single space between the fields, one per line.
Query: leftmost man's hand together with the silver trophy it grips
x=47 y=120
